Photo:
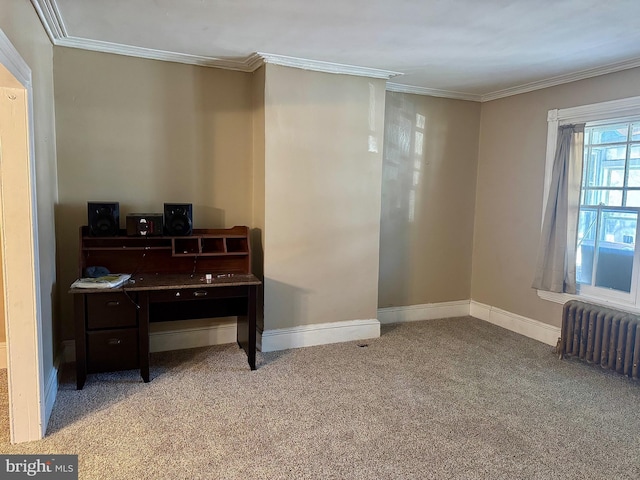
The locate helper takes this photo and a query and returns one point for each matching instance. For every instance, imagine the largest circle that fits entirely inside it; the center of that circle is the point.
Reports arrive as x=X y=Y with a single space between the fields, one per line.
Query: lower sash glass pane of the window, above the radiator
x=616 y=249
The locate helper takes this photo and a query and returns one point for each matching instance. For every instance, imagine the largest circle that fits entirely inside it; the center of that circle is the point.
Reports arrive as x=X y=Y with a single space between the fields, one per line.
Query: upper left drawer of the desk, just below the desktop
x=110 y=310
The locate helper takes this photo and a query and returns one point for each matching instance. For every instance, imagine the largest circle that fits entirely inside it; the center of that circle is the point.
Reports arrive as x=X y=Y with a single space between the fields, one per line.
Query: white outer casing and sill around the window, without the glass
x=622 y=109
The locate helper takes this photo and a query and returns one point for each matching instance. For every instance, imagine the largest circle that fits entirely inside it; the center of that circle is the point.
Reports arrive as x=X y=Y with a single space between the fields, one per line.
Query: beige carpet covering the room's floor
x=445 y=399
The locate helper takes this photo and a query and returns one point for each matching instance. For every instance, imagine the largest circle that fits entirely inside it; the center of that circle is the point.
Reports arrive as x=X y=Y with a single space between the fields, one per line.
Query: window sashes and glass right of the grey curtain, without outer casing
x=606 y=264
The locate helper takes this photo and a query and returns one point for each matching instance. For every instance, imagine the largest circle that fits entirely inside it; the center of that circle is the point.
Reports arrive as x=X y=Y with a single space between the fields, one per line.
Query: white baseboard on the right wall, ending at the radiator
x=528 y=327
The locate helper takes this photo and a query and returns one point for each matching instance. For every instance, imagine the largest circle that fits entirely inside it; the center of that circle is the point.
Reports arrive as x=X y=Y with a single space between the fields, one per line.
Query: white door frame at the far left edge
x=20 y=252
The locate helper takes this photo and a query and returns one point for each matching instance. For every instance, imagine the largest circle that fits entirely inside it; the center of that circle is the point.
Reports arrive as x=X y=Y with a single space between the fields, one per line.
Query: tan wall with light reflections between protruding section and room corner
x=428 y=197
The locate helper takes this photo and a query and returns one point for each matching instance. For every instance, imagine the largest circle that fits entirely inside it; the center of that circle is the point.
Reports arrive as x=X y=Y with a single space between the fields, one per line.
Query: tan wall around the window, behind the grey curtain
x=510 y=189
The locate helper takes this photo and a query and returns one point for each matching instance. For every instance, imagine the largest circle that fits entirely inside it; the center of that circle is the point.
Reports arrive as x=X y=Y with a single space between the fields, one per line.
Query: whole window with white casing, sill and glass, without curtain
x=607 y=263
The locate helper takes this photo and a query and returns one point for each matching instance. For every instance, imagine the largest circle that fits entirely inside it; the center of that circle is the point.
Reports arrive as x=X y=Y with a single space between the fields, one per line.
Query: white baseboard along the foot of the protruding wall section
x=318 y=334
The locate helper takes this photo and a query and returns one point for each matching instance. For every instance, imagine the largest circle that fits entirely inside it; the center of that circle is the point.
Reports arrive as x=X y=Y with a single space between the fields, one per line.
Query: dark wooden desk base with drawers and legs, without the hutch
x=155 y=298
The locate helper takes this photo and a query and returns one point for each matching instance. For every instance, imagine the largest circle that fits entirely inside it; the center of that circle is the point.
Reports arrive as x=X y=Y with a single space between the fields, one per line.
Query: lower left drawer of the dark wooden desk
x=110 y=350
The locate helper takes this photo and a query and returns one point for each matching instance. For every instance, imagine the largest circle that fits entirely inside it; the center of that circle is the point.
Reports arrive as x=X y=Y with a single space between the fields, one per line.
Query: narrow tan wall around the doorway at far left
x=20 y=23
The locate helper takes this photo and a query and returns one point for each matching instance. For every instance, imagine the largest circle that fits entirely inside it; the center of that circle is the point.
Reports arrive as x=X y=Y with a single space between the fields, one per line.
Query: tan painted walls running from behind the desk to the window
x=145 y=132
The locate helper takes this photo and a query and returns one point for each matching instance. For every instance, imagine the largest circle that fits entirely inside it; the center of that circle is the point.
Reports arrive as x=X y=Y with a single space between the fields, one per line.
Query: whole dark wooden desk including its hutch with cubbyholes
x=112 y=325
